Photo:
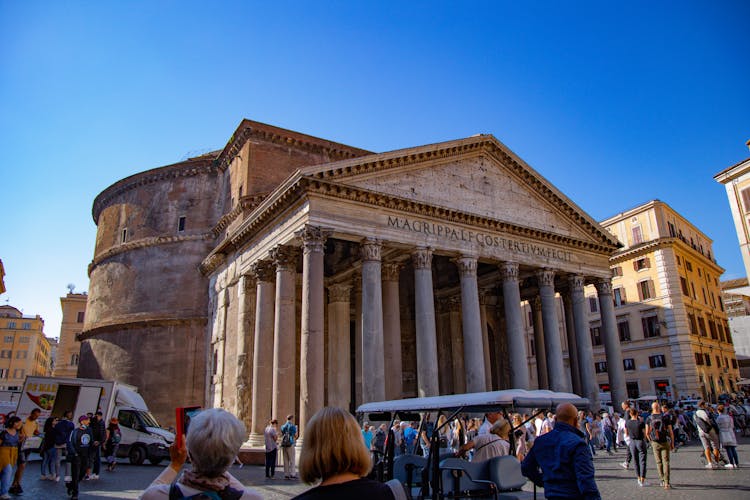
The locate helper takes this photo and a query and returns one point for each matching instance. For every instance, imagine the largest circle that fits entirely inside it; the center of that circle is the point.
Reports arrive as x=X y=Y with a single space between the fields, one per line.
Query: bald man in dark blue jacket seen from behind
x=560 y=461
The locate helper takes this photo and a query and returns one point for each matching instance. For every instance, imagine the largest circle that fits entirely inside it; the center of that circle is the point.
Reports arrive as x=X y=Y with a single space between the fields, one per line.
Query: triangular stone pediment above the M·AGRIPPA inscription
x=477 y=176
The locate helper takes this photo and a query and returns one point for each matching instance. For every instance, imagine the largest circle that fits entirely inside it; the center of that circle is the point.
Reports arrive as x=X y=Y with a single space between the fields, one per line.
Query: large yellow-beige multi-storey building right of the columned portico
x=671 y=320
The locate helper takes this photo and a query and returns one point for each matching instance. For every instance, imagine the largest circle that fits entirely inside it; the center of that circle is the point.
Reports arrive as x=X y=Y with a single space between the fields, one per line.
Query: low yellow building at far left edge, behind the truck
x=24 y=350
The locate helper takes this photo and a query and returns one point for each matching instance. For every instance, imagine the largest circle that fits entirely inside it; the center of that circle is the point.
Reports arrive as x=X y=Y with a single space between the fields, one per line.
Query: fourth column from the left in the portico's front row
x=472 y=326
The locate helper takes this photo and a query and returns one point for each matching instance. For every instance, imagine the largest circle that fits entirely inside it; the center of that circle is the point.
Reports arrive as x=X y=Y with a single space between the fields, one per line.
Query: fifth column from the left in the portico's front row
x=515 y=331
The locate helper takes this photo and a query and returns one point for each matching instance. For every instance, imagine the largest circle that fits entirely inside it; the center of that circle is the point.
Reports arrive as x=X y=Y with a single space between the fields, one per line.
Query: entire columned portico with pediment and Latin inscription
x=445 y=242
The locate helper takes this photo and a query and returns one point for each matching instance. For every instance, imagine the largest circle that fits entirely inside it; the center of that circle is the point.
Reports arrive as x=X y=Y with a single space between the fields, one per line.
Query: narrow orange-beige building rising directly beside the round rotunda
x=69 y=347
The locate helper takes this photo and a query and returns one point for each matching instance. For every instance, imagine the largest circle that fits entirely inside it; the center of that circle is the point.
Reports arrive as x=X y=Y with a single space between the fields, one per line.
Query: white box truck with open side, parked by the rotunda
x=142 y=437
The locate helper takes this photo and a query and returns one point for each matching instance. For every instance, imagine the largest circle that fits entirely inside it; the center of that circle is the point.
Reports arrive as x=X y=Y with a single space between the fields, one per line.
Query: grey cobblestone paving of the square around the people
x=690 y=479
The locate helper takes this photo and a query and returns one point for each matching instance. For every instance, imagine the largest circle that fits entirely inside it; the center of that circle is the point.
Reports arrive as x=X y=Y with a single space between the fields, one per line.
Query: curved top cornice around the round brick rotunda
x=189 y=168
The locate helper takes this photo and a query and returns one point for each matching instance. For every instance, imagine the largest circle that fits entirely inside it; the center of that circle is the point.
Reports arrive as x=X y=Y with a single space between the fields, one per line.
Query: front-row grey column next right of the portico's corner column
x=373 y=365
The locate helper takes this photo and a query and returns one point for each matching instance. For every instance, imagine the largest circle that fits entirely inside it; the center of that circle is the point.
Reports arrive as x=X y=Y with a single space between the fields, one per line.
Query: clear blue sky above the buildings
x=615 y=103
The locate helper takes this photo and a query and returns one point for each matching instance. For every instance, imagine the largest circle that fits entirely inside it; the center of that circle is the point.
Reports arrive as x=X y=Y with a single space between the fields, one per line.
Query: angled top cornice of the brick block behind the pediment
x=282 y=137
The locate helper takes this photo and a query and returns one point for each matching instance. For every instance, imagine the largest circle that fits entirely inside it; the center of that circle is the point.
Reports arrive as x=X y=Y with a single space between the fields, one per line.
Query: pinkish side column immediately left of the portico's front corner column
x=284 y=338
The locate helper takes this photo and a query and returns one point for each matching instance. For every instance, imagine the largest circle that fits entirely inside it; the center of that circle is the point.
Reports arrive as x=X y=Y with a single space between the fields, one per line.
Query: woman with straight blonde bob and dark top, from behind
x=334 y=454
